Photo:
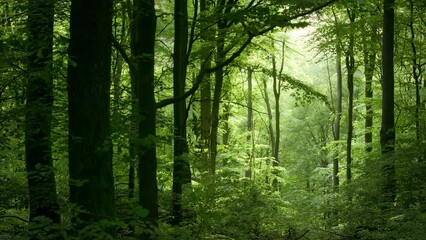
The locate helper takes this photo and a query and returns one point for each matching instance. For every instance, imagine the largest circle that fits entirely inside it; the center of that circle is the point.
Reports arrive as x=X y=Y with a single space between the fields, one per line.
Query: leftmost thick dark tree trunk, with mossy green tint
x=38 y=116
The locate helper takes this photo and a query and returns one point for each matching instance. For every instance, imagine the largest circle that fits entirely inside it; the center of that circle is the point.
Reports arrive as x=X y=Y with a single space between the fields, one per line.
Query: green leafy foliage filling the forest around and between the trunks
x=235 y=205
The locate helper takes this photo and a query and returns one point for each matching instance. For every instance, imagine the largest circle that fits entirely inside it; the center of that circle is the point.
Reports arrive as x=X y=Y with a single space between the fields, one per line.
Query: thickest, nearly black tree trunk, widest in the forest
x=89 y=77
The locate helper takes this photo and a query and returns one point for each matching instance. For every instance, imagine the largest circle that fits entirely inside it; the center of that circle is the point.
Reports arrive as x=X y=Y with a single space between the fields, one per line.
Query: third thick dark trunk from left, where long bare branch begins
x=142 y=46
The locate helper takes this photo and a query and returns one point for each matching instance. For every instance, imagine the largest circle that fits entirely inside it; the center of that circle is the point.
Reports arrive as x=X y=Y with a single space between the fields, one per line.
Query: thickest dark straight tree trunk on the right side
x=387 y=131
